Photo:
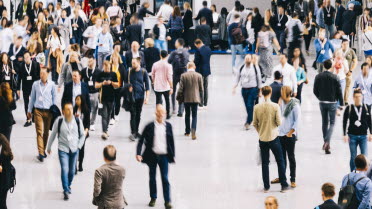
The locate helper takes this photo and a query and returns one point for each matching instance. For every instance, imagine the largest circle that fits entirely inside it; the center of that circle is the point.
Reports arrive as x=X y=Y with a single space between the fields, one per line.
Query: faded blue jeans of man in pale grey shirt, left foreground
x=68 y=166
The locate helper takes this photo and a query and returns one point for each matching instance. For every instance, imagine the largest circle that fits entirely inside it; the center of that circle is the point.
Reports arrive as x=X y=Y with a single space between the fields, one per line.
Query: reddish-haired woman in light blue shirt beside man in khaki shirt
x=288 y=130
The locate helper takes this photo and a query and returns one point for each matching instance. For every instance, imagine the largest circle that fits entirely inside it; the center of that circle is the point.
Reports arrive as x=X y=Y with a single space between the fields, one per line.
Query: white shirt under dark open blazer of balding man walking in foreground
x=160 y=139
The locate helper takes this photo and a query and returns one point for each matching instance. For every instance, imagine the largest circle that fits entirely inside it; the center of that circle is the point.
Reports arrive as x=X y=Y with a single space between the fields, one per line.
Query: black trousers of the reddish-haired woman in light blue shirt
x=288 y=147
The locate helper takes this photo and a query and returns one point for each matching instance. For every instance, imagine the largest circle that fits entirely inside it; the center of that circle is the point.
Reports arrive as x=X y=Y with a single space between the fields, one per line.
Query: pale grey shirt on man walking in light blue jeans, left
x=68 y=139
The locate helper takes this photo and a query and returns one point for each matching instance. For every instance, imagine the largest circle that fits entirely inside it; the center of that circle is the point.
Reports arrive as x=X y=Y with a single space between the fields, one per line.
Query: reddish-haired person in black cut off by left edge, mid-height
x=7 y=105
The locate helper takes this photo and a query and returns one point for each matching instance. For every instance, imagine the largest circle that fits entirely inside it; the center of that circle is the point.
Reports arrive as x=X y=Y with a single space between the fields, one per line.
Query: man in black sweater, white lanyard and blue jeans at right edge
x=356 y=123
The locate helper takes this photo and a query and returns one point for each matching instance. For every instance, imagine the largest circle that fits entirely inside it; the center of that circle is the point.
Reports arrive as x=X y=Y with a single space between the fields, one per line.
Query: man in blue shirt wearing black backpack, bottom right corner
x=356 y=187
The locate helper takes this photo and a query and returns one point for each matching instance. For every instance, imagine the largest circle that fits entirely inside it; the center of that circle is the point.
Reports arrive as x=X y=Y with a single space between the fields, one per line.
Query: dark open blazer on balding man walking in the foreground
x=147 y=138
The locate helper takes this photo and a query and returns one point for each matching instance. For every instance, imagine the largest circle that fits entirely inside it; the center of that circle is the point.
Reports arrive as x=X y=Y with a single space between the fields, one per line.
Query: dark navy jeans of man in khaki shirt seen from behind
x=276 y=148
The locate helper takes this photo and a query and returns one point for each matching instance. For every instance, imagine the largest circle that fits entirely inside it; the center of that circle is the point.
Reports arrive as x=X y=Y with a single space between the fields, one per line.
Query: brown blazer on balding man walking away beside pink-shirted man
x=190 y=87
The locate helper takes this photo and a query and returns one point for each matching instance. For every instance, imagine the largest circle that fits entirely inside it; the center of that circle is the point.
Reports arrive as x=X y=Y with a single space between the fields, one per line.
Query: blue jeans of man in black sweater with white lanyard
x=356 y=140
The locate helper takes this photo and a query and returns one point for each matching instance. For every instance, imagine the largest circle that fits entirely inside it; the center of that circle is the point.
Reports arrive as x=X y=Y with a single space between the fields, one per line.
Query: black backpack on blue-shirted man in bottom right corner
x=347 y=196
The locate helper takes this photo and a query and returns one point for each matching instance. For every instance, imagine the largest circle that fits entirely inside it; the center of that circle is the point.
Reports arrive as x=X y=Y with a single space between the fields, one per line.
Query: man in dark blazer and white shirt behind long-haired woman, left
x=76 y=88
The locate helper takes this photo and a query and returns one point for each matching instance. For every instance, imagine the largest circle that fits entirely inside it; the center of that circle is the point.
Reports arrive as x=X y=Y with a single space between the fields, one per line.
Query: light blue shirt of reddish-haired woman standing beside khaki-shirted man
x=291 y=121
